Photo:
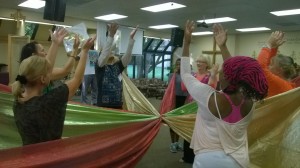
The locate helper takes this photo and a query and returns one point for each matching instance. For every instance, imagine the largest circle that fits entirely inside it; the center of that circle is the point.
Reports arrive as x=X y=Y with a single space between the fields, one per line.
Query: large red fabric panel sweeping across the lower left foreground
x=119 y=147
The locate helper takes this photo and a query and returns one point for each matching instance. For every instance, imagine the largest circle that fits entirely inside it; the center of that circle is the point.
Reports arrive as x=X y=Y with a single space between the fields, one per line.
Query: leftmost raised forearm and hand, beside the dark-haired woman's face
x=57 y=38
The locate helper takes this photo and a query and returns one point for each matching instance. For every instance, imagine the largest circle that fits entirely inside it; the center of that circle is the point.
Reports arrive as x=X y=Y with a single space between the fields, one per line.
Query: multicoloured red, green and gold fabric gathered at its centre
x=98 y=137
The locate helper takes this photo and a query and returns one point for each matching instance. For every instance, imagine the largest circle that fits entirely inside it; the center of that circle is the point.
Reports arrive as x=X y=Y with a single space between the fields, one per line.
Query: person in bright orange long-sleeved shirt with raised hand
x=279 y=69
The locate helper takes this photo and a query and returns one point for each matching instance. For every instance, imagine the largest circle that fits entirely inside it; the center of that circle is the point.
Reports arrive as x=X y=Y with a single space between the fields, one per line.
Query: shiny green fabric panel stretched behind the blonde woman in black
x=79 y=120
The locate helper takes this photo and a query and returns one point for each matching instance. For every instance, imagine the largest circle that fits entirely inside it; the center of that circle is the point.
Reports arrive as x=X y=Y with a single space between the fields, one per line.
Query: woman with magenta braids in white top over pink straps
x=220 y=133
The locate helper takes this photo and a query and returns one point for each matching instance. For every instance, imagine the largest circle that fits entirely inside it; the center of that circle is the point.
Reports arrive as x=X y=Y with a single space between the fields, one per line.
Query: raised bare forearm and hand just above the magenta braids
x=220 y=36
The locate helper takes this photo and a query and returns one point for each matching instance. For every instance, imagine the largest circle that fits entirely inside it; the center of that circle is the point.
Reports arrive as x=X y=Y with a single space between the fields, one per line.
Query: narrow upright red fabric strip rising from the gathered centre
x=168 y=101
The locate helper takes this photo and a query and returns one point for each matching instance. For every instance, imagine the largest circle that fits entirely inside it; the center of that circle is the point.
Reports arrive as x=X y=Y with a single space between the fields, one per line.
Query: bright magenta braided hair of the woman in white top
x=245 y=75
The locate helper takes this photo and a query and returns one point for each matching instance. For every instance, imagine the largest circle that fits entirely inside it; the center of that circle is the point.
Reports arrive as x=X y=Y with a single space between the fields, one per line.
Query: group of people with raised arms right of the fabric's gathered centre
x=227 y=97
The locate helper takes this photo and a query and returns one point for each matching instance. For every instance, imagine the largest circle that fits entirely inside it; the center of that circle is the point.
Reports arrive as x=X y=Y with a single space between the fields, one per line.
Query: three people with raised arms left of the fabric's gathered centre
x=40 y=107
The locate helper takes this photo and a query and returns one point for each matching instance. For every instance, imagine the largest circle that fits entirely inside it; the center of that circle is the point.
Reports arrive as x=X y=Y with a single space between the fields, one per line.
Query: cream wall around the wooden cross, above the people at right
x=248 y=44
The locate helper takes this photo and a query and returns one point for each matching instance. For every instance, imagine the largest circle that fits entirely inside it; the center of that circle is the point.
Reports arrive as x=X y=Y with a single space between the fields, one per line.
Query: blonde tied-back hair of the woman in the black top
x=31 y=69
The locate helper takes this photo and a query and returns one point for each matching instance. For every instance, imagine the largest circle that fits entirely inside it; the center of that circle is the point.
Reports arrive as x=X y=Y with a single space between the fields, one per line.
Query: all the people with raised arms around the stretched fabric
x=220 y=134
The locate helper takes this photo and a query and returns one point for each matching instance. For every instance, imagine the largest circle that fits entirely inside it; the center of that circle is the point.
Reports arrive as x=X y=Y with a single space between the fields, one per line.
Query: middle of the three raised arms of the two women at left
x=59 y=73
